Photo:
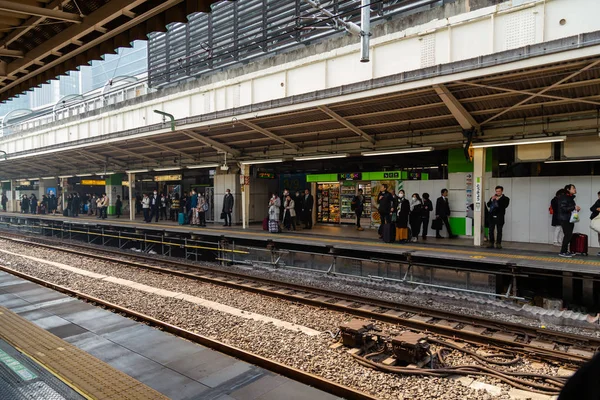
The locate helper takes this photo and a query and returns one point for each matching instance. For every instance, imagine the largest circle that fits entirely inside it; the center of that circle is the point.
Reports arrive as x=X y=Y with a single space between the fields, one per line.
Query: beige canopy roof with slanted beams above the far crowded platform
x=559 y=98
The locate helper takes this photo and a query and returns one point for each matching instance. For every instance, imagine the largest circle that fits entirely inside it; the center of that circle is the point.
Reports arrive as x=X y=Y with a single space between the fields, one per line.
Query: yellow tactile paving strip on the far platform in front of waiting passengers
x=321 y=240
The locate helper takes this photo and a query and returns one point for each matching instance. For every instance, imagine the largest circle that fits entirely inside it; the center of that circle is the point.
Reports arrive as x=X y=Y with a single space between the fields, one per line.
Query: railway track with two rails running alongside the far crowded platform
x=536 y=343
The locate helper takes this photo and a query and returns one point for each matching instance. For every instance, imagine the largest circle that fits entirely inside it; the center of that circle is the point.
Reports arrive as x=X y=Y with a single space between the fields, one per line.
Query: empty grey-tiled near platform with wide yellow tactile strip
x=55 y=347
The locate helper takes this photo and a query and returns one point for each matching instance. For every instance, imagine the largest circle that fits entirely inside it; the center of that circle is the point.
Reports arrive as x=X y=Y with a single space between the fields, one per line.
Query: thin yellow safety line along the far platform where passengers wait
x=473 y=254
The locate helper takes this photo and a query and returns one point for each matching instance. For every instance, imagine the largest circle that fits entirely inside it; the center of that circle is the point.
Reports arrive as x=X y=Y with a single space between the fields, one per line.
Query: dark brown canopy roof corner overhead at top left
x=42 y=39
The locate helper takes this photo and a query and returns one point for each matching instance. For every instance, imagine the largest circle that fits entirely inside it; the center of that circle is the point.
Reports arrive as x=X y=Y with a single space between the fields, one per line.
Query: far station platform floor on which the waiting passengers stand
x=456 y=253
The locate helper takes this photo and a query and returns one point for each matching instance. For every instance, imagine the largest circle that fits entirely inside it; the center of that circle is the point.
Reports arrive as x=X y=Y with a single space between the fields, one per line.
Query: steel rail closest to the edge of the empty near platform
x=249 y=357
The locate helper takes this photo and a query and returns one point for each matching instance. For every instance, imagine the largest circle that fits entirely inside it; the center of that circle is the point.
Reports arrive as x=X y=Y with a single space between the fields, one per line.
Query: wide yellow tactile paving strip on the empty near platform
x=86 y=374
